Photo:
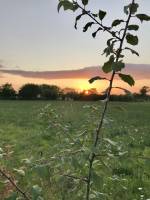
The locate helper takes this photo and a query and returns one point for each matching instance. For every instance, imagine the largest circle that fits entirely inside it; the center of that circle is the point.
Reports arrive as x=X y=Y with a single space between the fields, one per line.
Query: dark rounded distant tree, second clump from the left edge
x=29 y=91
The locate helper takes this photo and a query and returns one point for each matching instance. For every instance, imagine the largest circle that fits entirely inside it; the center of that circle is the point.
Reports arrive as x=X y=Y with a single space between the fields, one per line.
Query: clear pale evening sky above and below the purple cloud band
x=34 y=37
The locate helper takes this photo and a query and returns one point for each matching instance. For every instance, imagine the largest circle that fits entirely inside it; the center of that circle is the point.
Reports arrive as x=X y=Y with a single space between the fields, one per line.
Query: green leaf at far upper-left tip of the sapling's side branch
x=67 y=5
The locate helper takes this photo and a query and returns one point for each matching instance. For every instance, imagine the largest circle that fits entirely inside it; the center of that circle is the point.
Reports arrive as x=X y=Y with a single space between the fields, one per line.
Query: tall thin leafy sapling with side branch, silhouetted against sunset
x=115 y=64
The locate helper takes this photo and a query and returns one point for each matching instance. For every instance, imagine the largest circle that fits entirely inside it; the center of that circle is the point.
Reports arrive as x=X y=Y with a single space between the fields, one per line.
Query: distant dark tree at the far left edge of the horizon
x=7 y=91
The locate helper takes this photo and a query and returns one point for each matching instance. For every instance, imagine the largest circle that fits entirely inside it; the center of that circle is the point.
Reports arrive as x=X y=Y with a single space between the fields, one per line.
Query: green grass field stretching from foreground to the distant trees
x=25 y=134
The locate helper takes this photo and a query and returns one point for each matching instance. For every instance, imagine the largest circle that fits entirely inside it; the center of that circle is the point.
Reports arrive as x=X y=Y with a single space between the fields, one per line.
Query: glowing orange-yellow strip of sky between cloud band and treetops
x=79 y=85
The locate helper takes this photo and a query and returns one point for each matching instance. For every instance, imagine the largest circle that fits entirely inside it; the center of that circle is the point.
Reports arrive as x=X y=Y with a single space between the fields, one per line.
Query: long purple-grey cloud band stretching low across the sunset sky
x=138 y=71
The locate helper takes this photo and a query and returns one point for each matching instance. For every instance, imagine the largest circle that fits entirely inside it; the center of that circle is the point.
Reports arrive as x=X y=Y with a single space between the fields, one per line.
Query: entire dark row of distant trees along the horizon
x=32 y=91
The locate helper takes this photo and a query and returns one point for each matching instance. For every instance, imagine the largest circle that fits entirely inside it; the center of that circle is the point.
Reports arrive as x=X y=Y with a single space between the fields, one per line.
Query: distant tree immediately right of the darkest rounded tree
x=49 y=91
